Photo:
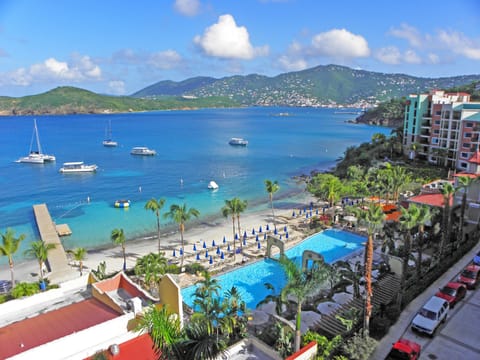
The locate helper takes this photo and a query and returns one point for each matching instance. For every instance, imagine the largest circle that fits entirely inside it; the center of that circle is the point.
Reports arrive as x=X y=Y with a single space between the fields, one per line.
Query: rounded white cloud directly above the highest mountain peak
x=340 y=43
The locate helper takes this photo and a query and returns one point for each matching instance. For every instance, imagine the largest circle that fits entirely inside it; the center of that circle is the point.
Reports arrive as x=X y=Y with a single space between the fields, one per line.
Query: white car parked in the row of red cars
x=430 y=316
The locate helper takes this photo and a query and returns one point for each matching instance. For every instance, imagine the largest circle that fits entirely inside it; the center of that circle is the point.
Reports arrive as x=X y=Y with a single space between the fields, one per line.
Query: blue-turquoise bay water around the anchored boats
x=192 y=149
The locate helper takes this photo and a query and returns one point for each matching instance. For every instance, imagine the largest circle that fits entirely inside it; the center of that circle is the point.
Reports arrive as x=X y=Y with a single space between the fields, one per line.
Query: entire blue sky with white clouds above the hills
x=121 y=46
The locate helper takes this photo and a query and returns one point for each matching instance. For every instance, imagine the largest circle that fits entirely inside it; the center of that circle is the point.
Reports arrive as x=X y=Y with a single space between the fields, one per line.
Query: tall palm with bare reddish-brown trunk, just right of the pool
x=373 y=219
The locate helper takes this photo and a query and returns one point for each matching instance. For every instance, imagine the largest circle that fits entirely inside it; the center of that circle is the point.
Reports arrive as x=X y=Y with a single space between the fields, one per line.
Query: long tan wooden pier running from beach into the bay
x=57 y=258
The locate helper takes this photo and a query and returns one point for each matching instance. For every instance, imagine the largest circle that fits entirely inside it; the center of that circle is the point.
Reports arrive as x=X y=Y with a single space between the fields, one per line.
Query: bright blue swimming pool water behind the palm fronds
x=250 y=279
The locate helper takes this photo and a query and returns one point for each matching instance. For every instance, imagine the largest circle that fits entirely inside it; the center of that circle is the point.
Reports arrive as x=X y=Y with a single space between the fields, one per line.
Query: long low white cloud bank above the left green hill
x=80 y=68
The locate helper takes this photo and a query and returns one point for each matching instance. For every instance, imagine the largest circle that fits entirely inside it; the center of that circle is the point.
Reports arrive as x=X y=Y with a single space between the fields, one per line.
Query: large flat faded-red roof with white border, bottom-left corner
x=44 y=328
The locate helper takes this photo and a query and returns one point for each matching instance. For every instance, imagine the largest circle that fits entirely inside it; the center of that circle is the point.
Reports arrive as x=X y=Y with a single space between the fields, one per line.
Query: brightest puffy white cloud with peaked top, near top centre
x=225 y=39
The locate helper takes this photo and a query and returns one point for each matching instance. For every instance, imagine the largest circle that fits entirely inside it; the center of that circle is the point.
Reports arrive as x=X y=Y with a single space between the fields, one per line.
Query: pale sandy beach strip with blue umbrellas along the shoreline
x=195 y=233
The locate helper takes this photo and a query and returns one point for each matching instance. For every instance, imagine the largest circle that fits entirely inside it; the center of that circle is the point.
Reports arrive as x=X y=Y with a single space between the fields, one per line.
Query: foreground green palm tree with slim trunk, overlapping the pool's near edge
x=300 y=283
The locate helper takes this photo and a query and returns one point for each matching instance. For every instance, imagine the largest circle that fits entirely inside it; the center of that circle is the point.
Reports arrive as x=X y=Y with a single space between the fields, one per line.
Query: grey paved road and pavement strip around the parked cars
x=458 y=338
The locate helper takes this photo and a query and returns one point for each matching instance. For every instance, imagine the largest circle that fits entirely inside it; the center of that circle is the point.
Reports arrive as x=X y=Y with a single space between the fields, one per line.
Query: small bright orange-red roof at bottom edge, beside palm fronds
x=139 y=348
